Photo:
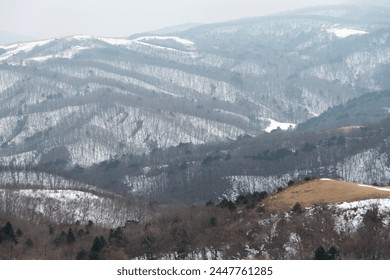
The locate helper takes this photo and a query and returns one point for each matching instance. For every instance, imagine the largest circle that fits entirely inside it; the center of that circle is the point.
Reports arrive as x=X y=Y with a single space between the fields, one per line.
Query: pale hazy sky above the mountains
x=118 y=18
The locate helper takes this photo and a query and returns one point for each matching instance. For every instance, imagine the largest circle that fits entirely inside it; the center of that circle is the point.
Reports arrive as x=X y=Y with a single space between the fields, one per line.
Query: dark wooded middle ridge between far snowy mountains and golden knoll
x=196 y=174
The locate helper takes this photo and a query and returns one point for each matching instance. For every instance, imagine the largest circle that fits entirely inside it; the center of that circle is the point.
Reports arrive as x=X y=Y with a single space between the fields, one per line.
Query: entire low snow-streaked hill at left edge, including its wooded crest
x=38 y=196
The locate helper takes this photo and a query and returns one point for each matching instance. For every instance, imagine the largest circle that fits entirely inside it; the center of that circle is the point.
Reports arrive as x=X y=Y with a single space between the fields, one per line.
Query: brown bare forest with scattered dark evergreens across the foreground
x=244 y=229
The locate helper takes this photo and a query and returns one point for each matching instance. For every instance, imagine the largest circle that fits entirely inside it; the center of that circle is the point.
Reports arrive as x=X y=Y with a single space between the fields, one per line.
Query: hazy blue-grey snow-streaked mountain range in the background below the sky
x=94 y=98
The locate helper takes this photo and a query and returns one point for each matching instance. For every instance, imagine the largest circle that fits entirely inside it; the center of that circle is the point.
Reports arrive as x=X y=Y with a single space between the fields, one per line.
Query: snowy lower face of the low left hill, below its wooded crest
x=70 y=206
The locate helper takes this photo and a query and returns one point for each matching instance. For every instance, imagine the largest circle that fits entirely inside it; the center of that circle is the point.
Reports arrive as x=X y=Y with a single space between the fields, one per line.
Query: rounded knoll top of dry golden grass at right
x=322 y=191
